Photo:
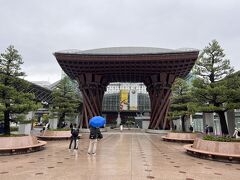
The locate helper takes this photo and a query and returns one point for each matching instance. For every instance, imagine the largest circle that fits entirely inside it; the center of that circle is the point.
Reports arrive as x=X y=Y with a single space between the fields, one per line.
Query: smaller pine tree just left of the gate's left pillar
x=66 y=100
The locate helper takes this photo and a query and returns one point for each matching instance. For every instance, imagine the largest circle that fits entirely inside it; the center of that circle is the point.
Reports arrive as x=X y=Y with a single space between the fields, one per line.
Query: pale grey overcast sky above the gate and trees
x=37 y=28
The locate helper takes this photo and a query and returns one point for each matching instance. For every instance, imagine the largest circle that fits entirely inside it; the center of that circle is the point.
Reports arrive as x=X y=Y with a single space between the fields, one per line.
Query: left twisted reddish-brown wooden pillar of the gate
x=92 y=87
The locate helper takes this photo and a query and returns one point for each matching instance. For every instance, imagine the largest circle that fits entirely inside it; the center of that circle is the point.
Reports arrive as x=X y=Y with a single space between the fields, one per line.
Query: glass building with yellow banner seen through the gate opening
x=128 y=99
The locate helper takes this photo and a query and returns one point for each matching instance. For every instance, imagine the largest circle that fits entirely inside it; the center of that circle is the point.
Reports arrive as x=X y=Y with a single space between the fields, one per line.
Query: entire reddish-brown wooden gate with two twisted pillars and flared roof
x=157 y=68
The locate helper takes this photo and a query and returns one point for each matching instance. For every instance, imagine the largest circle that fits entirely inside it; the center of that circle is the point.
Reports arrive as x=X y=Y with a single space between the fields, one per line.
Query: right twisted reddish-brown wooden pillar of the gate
x=159 y=89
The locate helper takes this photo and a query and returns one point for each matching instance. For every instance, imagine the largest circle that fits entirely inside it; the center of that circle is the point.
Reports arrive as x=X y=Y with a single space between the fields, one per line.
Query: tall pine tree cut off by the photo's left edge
x=13 y=100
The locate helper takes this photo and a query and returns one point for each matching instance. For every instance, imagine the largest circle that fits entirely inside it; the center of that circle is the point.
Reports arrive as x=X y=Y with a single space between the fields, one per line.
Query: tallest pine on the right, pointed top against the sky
x=209 y=88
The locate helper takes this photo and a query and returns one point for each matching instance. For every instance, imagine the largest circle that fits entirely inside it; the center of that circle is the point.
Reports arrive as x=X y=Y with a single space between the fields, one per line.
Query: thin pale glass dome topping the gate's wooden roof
x=126 y=51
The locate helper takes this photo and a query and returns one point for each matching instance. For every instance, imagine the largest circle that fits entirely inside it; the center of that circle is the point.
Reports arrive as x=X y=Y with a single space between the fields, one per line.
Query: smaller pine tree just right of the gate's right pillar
x=181 y=96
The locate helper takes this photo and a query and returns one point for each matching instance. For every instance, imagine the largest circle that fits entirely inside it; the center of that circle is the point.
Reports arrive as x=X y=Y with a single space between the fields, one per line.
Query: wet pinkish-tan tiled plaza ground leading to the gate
x=127 y=156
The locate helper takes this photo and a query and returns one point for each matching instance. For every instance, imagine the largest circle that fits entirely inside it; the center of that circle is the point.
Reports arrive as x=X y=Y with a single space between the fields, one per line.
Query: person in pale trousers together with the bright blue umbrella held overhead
x=95 y=134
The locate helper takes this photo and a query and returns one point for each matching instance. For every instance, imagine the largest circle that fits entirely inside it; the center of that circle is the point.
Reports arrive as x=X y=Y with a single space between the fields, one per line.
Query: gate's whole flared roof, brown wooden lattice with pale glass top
x=126 y=64
